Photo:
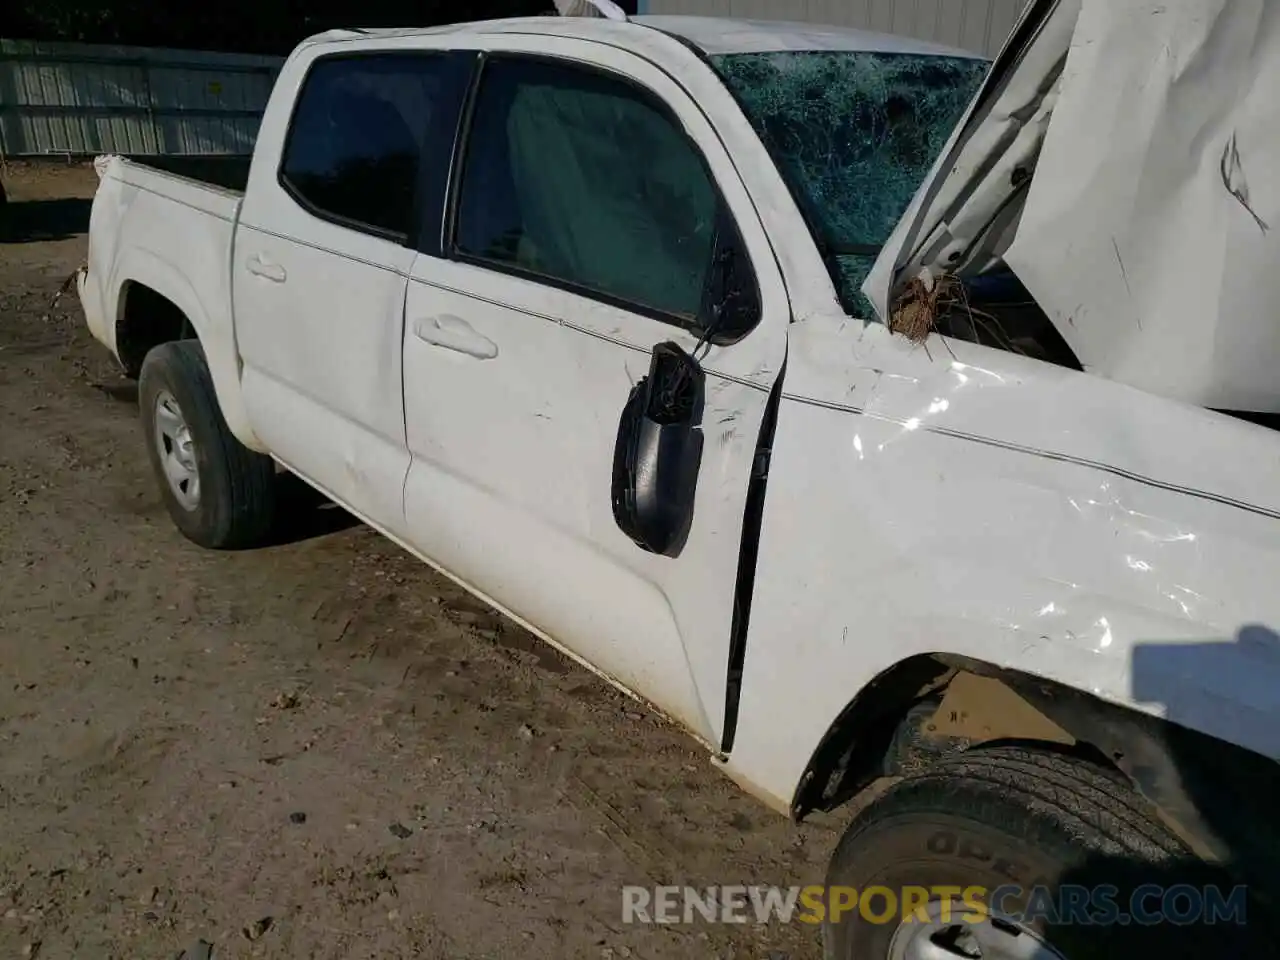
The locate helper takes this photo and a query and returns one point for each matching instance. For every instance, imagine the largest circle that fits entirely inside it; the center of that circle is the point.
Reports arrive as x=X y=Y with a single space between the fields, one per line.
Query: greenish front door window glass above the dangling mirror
x=587 y=181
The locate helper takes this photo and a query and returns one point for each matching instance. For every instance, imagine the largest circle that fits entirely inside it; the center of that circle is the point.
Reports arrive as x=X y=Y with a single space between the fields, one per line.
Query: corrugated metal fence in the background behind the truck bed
x=85 y=99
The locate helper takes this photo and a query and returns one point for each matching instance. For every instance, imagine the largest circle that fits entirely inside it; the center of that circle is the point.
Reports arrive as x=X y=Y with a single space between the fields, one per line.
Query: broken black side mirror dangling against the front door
x=659 y=452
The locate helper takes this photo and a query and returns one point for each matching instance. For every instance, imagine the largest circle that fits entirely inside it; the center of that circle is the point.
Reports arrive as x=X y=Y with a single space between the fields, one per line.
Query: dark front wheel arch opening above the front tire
x=1212 y=793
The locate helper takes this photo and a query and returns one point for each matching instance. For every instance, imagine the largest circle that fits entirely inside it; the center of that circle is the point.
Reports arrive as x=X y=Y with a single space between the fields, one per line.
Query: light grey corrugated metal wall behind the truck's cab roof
x=980 y=26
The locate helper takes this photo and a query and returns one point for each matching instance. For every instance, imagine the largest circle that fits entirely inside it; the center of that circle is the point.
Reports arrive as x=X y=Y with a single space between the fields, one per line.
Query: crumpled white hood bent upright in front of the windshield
x=1124 y=161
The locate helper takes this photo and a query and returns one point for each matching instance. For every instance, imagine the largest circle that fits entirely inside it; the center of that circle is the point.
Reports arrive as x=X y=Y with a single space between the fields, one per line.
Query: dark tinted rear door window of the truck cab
x=365 y=127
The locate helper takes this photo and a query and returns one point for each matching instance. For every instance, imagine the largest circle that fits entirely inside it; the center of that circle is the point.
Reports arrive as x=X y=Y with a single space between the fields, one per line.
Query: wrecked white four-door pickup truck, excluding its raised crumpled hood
x=584 y=314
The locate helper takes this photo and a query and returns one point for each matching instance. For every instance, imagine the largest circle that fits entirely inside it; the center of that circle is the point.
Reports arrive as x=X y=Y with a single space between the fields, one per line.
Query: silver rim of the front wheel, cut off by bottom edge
x=948 y=935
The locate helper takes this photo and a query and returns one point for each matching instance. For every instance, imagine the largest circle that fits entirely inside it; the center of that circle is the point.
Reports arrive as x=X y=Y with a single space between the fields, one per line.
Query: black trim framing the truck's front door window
x=459 y=171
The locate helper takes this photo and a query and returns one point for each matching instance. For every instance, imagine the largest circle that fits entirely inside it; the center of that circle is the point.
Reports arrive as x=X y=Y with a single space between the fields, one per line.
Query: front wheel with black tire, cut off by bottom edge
x=1025 y=821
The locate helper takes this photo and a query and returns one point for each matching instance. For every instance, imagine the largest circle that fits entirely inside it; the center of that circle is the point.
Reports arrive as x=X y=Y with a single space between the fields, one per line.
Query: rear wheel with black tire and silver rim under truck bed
x=220 y=493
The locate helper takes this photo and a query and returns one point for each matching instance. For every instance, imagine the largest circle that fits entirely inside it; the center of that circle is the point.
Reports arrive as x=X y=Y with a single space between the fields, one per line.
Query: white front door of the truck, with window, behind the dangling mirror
x=569 y=257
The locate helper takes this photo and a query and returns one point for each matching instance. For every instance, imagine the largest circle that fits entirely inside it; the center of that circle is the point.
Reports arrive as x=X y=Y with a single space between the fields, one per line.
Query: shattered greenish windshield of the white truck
x=853 y=134
